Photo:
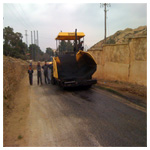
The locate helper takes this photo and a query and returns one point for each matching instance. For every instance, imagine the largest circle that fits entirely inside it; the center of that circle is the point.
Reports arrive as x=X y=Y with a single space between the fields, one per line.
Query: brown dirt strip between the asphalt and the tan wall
x=132 y=93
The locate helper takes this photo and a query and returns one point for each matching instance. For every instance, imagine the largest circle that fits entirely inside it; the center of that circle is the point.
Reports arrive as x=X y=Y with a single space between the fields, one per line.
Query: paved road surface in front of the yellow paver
x=83 y=117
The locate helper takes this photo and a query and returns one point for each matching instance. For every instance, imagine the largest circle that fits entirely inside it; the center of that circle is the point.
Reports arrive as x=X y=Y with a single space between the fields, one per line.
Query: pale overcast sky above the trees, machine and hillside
x=51 y=18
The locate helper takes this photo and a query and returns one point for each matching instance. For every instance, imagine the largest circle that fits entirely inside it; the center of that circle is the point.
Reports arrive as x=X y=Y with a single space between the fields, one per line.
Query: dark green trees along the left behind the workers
x=14 y=46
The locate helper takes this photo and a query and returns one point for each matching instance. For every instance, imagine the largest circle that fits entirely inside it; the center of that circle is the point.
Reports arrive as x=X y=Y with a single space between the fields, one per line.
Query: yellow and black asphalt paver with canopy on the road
x=72 y=69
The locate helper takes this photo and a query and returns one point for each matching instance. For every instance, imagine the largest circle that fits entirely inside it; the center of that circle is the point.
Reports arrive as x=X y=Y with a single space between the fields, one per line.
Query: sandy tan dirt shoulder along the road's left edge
x=15 y=120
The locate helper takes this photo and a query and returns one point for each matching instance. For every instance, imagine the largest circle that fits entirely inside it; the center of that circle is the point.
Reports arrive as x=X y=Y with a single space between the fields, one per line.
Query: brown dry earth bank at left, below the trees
x=13 y=71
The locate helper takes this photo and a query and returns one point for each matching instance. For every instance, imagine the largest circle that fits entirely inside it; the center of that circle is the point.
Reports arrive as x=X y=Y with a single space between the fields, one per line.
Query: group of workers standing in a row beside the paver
x=46 y=70
